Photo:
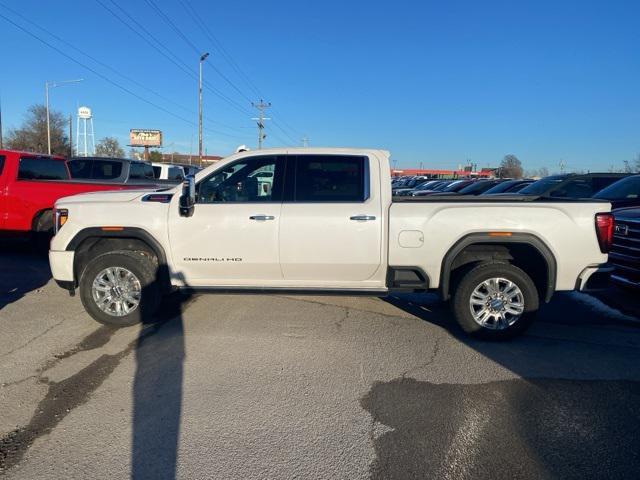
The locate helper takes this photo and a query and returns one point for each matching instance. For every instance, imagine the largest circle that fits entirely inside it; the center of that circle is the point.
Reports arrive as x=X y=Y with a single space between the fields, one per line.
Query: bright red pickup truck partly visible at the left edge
x=30 y=183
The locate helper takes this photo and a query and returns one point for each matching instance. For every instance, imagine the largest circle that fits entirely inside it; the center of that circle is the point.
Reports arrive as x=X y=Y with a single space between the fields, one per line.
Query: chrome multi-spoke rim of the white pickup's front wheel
x=116 y=291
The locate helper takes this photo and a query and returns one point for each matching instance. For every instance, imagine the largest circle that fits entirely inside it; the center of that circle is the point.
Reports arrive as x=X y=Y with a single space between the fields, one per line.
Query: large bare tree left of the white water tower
x=32 y=135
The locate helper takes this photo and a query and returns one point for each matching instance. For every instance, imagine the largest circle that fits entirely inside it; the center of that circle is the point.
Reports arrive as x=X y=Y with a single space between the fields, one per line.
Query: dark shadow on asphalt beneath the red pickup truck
x=23 y=269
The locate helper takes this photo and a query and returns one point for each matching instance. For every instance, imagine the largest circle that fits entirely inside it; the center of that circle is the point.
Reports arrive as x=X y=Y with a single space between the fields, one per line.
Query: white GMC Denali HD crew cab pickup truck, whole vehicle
x=323 y=220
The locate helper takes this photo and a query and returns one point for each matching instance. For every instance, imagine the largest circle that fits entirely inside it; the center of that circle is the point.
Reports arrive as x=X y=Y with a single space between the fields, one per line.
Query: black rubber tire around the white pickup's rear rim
x=461 y=306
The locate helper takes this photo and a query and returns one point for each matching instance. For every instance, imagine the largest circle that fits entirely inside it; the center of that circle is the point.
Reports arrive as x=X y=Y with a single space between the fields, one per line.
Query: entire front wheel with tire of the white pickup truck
x=120 y=288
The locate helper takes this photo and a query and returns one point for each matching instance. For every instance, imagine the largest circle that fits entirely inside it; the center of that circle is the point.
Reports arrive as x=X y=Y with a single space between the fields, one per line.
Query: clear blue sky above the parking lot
x=433 y=82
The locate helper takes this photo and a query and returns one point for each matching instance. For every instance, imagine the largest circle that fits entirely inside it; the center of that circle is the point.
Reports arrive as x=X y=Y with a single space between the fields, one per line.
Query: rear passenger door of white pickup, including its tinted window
x=331 y=226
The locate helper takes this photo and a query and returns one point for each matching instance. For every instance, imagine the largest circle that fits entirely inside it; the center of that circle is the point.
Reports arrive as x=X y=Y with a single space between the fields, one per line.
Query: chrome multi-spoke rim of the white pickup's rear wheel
x=496 y=303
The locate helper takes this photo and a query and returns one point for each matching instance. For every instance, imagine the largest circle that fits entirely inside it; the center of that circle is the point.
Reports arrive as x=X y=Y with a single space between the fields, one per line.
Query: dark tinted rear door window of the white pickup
x=330 y=178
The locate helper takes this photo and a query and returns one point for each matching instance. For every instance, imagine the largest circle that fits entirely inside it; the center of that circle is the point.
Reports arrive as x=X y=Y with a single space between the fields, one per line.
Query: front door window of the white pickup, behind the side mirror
x=254 y=179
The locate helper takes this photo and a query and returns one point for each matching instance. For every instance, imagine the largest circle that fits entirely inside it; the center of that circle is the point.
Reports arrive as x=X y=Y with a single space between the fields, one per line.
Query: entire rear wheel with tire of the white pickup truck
x=495 y=301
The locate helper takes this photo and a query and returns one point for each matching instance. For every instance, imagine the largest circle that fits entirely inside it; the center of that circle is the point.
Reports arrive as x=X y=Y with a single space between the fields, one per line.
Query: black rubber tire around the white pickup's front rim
x=138 y=263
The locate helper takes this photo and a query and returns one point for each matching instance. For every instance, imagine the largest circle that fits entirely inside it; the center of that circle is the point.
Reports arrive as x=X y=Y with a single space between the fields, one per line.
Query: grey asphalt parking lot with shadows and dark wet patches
x=238 y=387
